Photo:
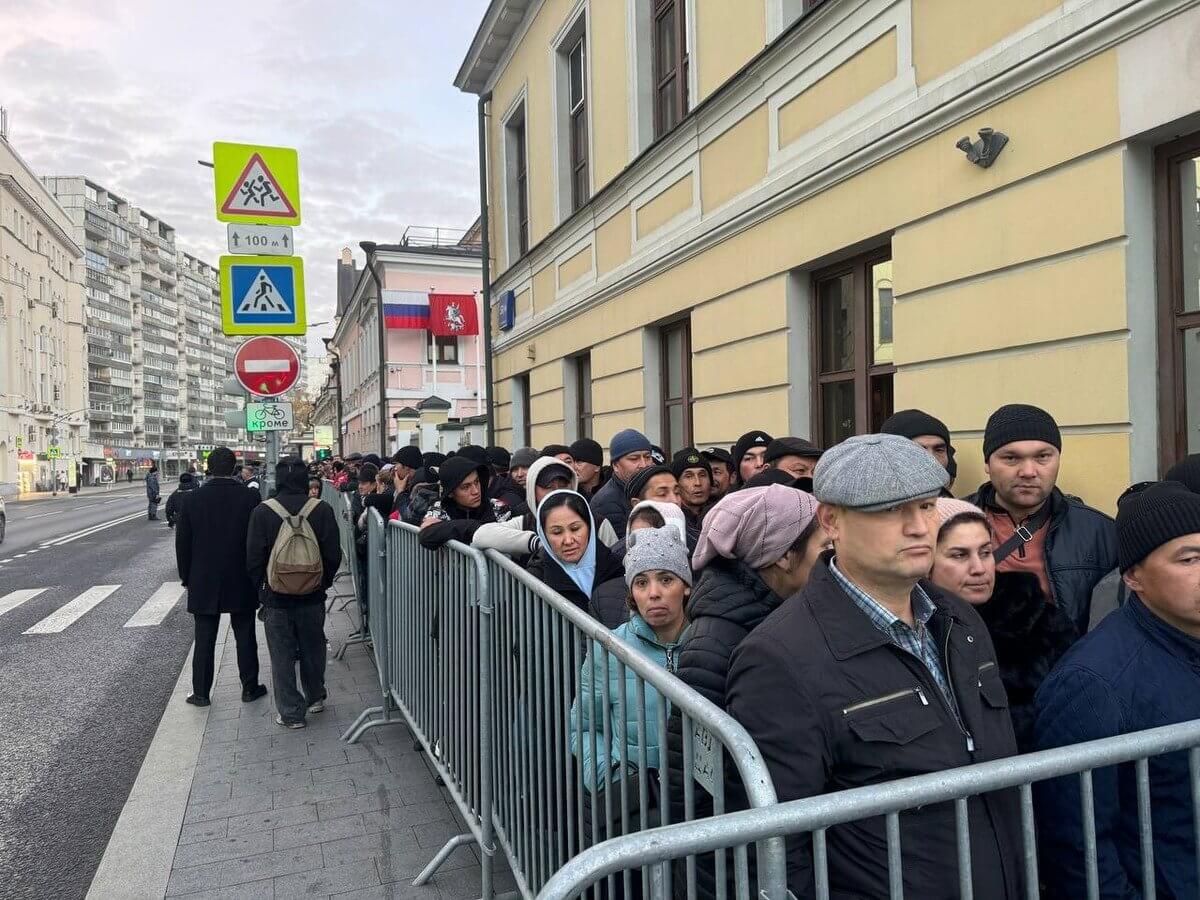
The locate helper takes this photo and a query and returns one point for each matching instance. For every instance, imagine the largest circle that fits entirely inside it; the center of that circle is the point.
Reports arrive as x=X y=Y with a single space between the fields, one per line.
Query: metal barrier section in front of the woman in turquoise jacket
x=547 y=809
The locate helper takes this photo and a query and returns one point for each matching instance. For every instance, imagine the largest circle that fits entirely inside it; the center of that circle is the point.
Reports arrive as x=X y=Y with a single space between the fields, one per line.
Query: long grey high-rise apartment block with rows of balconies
x=157 y=355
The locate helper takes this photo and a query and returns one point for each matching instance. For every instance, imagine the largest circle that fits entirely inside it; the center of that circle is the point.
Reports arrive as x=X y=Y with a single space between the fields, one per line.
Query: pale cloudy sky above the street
x=133 y=93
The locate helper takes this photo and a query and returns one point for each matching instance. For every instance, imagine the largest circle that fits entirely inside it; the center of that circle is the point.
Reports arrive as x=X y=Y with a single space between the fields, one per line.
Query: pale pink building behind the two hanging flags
x=422 y=368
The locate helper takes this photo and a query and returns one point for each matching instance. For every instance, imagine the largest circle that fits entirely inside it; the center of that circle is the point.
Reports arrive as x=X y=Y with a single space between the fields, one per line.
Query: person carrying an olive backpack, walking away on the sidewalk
x=292 y=555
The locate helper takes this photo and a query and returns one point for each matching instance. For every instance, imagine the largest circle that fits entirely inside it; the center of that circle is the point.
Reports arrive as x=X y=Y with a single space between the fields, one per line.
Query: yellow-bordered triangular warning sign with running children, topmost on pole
x=256 y=184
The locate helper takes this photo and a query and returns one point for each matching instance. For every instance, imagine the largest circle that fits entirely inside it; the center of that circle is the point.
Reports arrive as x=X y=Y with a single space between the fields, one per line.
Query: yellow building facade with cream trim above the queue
x=707 y=217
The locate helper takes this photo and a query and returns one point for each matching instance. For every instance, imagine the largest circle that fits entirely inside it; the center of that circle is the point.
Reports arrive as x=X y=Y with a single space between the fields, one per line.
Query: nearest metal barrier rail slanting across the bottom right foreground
x=817 y=815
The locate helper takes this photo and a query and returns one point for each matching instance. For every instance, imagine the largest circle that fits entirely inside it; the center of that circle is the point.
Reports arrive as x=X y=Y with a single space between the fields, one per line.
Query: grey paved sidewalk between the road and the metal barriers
x=279 y=814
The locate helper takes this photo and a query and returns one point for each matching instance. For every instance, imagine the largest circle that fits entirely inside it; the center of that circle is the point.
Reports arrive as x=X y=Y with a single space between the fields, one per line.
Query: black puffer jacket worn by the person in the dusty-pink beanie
x=730 y=601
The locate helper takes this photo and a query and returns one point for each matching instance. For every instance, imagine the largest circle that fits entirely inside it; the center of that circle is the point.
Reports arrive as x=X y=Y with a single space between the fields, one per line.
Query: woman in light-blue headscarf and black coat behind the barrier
x=574 y=563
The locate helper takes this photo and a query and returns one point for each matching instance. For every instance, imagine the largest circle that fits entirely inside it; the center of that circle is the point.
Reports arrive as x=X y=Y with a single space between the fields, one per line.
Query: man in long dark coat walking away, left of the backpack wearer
x=211 y=553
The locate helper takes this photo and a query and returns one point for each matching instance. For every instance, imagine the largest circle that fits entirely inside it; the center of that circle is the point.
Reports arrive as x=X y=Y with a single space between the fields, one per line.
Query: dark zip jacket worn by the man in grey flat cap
x=833 y=704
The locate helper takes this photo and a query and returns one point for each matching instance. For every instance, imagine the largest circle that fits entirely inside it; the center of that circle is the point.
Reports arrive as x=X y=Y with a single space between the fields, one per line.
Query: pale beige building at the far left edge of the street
x=43 y=388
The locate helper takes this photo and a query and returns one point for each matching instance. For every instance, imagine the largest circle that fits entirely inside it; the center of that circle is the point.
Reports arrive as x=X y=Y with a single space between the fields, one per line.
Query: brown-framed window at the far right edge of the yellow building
x=1179 y=335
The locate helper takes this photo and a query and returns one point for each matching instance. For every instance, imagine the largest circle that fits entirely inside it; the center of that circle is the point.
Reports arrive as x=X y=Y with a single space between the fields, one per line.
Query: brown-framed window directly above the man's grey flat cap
x=854 y=347
